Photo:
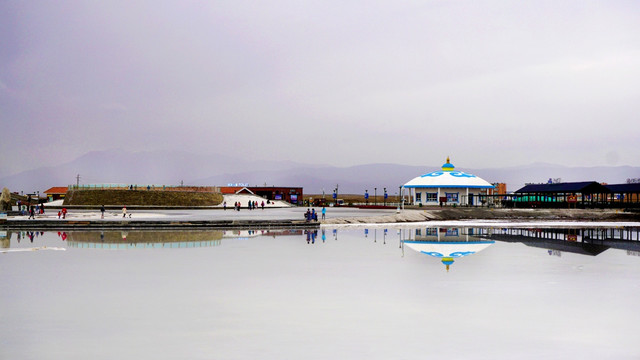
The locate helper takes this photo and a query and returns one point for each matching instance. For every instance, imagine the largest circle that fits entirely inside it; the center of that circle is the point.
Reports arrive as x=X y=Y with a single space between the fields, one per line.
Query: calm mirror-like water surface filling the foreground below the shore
x=348 y=293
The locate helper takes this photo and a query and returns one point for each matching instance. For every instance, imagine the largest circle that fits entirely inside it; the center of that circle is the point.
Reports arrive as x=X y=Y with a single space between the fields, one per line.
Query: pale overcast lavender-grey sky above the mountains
x=490 y=83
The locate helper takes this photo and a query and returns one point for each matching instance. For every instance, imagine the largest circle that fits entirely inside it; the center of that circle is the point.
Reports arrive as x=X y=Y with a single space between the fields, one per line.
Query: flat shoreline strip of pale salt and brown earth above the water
x=293 y=218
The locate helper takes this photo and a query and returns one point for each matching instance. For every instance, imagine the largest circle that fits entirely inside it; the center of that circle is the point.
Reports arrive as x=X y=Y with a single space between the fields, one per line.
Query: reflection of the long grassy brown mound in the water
x=117 y=240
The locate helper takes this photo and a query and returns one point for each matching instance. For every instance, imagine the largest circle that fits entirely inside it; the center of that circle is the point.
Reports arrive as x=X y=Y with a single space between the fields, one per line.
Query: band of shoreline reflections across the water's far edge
x=444 y=243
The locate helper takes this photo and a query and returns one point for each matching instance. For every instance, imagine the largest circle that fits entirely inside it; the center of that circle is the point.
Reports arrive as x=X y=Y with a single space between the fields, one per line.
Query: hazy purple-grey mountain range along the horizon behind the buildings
x=172 y=168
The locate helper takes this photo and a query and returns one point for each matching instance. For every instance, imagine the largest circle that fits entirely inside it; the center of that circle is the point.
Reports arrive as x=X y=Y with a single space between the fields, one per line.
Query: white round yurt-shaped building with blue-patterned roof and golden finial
x=447 y=186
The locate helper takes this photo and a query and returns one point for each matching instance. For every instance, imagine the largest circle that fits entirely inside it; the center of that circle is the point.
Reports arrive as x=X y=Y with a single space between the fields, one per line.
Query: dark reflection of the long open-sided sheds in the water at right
x=588 y=241
